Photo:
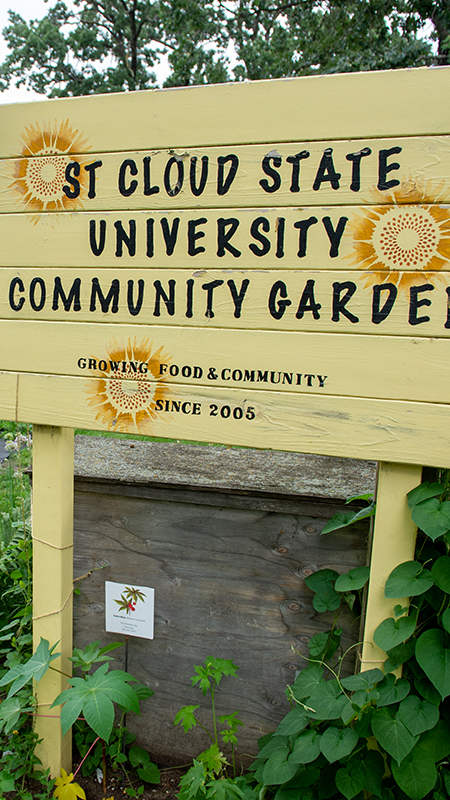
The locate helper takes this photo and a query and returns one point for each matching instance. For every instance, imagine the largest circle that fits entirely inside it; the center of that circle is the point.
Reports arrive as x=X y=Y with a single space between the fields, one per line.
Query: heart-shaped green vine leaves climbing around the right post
x=374 y=734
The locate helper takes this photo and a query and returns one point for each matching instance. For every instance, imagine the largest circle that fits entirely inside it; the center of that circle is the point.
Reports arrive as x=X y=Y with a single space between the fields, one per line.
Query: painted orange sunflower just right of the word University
x=408 y=236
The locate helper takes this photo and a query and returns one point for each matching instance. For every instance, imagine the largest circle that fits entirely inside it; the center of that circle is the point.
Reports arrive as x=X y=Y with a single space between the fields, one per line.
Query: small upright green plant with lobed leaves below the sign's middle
x=207 y=777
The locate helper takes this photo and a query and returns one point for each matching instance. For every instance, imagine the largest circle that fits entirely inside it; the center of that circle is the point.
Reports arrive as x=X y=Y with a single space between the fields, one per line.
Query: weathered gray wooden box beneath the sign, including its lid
x=227 y=560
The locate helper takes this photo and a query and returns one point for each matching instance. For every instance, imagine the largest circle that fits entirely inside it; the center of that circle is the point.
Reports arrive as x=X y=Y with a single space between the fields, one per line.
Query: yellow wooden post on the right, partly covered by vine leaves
x=393 y=542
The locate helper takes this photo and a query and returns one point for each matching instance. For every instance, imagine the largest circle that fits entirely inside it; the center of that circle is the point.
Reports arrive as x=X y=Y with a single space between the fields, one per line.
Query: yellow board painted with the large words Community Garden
x=282 y=300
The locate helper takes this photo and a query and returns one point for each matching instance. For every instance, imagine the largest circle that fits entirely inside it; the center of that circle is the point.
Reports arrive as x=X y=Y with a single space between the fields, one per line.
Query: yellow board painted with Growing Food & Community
x=291 y=362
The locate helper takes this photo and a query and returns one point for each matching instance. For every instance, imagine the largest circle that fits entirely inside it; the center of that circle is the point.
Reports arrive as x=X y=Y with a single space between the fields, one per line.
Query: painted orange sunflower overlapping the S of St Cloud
x=39 y=175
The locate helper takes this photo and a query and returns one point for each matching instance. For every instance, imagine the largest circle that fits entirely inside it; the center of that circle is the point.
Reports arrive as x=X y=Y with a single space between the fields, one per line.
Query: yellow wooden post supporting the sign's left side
x=52 y=580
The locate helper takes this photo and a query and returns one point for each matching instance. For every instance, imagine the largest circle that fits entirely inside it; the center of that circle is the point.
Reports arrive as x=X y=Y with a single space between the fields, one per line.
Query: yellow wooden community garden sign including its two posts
x=260 y=264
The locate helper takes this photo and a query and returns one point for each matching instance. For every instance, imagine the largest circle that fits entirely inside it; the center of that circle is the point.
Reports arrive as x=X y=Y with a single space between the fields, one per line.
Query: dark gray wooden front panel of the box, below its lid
x=228 y=583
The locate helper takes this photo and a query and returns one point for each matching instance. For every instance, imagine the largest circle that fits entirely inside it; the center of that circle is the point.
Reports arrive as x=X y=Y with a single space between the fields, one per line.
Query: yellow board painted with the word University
x=381 y=238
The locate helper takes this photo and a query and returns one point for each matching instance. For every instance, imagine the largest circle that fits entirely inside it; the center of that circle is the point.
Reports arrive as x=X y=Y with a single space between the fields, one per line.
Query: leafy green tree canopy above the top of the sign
x=93 y=46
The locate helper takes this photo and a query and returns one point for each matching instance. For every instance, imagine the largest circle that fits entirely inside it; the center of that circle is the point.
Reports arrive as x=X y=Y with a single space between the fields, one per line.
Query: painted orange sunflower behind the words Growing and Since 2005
x=124 y=398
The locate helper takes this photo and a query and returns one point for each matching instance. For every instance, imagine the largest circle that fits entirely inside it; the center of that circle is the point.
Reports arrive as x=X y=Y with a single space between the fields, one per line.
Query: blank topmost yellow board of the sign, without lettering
x=390 y=103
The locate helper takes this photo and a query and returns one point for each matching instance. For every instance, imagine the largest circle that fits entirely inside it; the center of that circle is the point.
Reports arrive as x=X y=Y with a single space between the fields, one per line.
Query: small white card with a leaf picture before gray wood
x=129 y=609
